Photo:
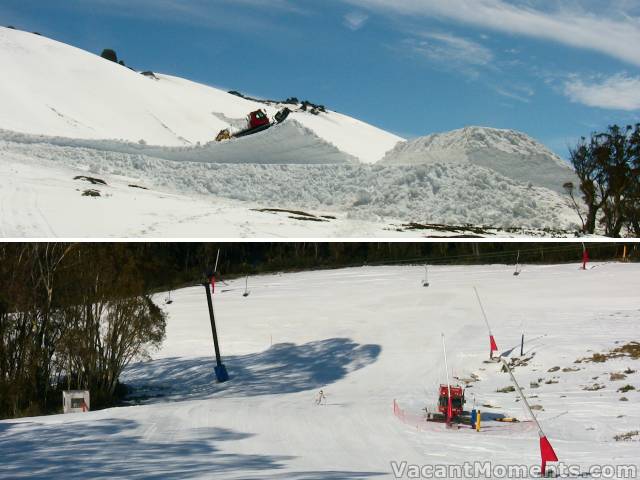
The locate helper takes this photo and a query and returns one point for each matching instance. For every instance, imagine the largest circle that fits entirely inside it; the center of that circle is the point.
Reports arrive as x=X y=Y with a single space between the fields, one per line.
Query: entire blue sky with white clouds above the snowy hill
x=555 y=69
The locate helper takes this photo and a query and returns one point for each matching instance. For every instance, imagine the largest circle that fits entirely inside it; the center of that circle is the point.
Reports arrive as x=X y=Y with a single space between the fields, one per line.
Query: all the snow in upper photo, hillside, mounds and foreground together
x=67 y=108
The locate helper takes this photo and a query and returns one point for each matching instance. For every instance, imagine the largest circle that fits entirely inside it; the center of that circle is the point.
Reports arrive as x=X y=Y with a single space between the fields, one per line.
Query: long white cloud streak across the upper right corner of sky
x=614 y=30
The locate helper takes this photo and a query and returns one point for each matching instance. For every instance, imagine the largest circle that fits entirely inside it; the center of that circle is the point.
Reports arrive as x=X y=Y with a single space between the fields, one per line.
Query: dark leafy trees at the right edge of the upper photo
x=608 y=166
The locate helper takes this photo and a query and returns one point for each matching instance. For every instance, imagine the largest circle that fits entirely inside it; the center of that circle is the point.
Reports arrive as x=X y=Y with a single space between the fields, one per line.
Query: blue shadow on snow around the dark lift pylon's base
x=283 y=368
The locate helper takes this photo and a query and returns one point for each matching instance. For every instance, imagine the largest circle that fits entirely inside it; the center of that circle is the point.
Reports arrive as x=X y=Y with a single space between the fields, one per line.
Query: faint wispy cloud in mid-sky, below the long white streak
x=452 y=52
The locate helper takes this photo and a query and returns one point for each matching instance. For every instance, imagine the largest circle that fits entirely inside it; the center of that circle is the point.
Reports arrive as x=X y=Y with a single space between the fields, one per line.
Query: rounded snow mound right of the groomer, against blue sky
x=510 y=153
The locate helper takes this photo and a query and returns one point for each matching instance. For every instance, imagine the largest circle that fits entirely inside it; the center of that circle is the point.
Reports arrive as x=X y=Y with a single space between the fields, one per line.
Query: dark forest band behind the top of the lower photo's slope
x=171 y=265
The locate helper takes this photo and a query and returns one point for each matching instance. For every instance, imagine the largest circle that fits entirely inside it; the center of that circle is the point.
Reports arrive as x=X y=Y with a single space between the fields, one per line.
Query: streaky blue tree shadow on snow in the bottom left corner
x=112 y=448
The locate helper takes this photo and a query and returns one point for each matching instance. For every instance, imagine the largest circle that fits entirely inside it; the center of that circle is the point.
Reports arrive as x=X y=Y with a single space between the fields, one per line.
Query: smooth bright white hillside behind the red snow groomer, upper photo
x=50 y=88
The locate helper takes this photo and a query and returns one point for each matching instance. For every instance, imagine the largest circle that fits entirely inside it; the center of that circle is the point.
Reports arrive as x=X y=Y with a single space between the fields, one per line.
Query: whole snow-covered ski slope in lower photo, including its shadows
x=298 y=333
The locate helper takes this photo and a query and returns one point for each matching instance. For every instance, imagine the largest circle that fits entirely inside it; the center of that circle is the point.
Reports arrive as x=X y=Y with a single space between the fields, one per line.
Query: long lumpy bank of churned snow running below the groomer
x=450 y=194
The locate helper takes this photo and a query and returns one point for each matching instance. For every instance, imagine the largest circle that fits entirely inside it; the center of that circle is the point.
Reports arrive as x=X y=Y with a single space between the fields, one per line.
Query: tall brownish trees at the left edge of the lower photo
x=72 y=316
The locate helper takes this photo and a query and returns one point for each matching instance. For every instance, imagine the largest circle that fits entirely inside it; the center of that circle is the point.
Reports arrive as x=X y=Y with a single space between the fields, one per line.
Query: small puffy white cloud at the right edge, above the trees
x=620 y=92
